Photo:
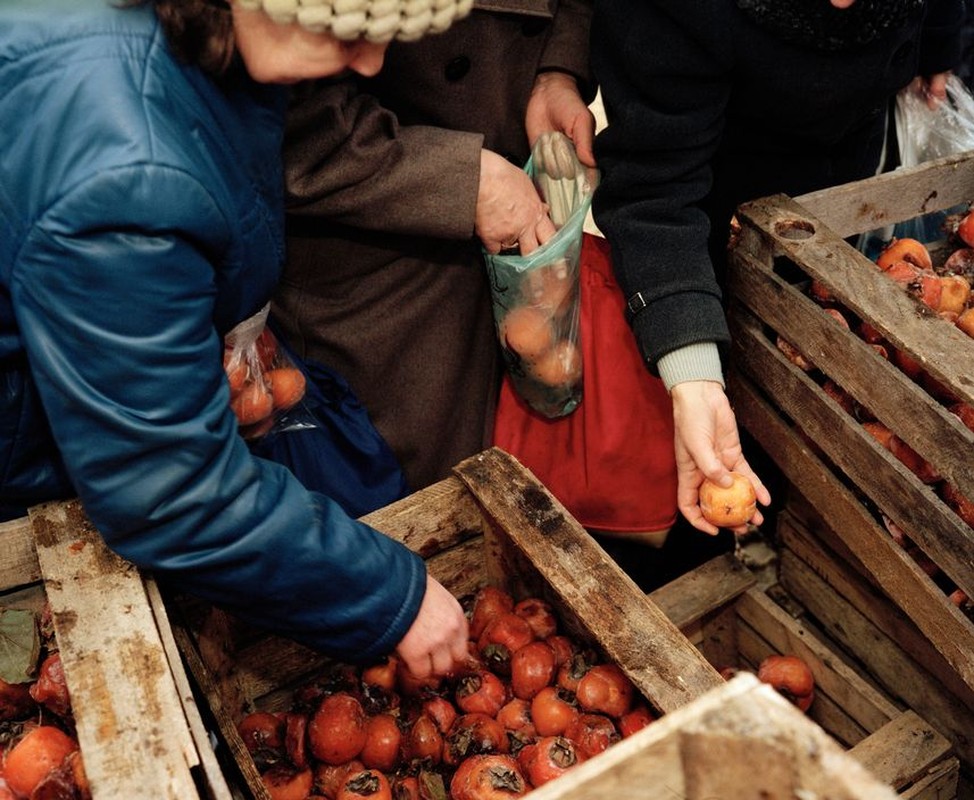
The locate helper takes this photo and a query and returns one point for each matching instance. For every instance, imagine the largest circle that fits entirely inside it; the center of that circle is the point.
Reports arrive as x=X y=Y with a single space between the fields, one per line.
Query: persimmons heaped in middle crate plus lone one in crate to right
x=530 y=704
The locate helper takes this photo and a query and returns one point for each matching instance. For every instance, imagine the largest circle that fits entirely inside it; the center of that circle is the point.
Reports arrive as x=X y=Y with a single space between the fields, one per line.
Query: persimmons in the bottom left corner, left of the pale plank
x=40 y=756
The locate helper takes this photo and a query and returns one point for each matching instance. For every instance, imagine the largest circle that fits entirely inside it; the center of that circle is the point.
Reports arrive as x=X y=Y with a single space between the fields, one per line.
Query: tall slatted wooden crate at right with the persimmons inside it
x=853 y=373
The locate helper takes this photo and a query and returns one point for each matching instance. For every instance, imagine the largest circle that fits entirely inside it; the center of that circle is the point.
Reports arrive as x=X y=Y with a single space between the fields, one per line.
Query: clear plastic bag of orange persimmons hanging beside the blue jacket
x=264 y=382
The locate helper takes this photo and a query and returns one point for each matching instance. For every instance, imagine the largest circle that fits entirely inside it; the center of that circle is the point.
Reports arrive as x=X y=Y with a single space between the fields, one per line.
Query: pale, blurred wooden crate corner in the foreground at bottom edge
x=739 y=741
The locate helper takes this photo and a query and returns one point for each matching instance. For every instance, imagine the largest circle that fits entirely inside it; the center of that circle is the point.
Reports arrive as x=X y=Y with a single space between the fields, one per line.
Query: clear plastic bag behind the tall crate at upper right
x=923 y=134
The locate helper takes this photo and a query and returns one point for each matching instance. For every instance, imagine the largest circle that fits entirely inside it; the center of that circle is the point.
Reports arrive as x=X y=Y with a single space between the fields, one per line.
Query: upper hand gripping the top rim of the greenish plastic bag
x=556 y=105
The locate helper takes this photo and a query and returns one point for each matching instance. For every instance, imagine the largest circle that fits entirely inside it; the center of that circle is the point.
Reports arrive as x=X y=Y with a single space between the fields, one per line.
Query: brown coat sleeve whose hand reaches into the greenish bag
x=345 y=156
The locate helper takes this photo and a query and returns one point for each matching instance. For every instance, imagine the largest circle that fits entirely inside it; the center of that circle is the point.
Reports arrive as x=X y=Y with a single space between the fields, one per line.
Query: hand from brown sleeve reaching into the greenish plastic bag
x=509 y=209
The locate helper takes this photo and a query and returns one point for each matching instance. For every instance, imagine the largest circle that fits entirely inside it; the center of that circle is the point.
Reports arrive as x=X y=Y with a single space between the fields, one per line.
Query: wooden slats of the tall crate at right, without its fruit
x=824 y=453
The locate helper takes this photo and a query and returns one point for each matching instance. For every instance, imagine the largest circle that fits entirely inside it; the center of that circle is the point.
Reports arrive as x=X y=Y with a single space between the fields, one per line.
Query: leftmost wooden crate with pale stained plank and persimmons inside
x=93 y=703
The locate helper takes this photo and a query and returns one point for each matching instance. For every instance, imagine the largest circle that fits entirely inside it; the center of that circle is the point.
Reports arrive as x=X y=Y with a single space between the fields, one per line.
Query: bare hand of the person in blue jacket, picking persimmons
x=437 y=640
